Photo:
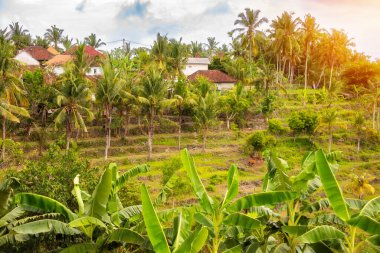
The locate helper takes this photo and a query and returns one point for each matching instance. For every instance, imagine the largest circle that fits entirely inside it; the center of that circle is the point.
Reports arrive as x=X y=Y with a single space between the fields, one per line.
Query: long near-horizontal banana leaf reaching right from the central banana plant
x=261 y=199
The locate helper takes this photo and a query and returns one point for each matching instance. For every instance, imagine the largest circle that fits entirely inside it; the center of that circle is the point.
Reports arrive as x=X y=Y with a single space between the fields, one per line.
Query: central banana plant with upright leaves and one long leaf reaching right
x=225 y=217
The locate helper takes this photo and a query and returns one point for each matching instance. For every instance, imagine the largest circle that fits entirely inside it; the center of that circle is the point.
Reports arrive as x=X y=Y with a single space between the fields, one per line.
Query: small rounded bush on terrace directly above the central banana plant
x=259 y=141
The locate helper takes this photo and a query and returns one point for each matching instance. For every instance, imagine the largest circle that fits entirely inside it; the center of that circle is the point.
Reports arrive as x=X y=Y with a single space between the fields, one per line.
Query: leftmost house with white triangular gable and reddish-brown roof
x=33 y=56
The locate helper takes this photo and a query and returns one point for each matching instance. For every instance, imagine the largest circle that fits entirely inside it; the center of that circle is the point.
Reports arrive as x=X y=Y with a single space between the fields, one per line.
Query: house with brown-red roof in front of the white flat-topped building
x=221 y=79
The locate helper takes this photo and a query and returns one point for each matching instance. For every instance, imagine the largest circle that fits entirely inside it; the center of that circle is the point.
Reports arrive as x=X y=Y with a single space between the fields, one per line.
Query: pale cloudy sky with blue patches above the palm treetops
x=138 y=21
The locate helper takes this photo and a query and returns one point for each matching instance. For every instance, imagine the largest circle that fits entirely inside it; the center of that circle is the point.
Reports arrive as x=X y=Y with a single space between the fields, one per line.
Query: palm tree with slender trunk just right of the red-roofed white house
x=108 y=93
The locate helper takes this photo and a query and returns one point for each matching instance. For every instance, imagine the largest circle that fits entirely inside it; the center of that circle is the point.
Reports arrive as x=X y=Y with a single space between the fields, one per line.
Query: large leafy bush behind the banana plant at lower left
x=53 y=175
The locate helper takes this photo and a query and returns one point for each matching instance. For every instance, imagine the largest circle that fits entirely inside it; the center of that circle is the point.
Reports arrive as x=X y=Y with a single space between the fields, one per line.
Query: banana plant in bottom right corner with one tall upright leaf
x=366 y=219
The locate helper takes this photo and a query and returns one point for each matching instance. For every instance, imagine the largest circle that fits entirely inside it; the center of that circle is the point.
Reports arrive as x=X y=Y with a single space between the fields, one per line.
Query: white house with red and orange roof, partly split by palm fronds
x=58 y=61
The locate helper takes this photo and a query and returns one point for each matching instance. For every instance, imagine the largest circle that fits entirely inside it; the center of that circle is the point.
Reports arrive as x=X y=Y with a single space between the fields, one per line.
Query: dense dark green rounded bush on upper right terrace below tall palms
x=303 y=122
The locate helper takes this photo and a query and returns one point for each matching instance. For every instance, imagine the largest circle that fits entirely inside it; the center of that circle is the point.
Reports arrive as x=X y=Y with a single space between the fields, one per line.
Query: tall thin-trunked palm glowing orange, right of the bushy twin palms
x=310 y=32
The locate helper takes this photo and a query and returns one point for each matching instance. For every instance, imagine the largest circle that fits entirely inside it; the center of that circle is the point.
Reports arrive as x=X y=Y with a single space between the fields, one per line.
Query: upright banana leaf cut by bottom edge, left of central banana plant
x=152 y=224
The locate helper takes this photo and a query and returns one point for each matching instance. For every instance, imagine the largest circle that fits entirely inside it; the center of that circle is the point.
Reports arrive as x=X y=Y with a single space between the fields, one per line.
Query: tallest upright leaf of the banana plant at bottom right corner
x=331 y=187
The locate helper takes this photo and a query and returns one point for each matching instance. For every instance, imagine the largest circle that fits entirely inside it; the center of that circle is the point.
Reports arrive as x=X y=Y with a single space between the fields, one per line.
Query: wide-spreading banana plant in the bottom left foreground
x=100 y=216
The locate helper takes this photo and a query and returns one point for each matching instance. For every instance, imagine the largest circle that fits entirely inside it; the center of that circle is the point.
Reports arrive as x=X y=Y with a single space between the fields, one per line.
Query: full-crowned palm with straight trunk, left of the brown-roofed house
x=153 y=98
